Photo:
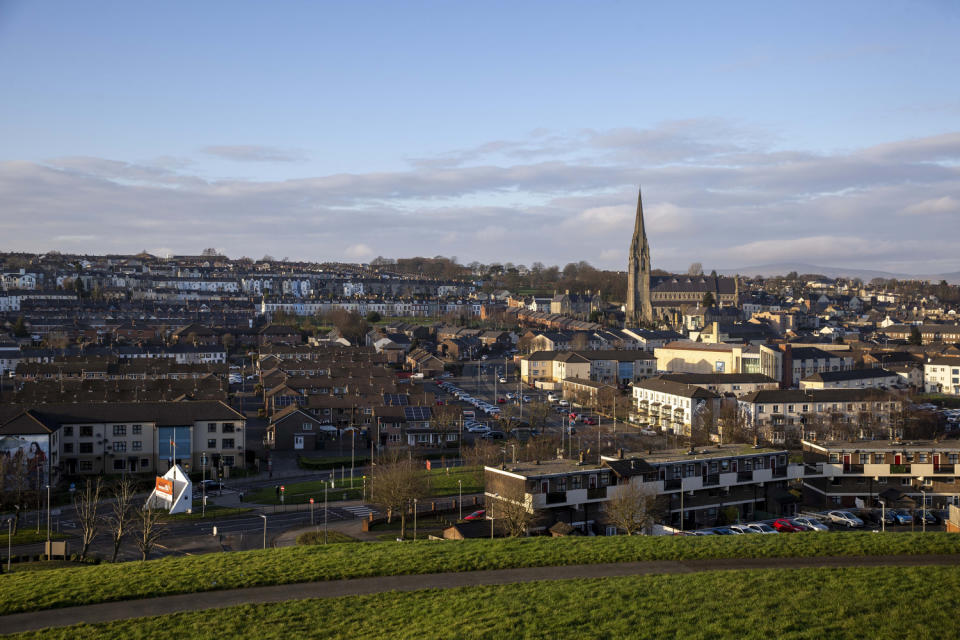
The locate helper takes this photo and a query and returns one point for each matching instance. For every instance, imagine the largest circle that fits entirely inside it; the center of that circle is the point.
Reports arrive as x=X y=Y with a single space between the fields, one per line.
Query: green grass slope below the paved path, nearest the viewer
x=795 y=604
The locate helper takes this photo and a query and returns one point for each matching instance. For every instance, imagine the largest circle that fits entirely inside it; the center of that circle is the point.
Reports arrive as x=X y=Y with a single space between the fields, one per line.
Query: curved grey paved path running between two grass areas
x=361 y=586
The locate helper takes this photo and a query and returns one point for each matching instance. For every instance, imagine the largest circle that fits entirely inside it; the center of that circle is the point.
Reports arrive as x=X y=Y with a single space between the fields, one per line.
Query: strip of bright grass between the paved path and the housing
x=131 y=580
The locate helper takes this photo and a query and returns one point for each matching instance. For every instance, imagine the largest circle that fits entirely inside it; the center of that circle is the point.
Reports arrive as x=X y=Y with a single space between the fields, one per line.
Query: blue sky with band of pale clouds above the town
x=815 y=132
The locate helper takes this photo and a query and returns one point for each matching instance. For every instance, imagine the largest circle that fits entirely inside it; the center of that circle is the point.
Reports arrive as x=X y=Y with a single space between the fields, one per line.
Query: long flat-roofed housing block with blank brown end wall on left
x=704 y=488
